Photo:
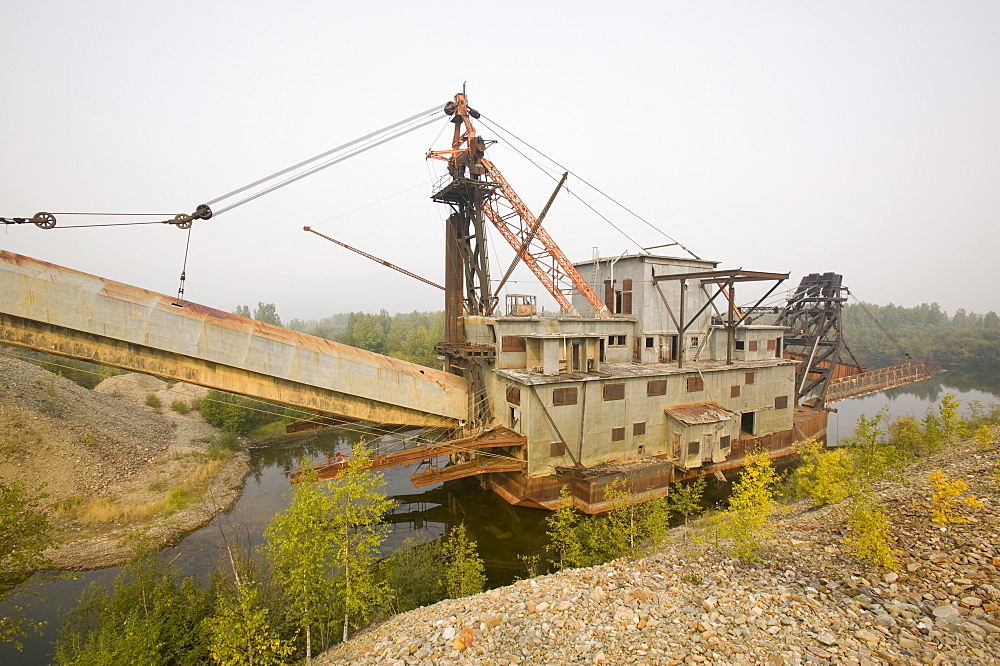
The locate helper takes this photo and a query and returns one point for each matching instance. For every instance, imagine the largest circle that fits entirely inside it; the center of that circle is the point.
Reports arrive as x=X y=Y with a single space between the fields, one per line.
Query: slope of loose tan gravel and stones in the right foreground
x=809 y=602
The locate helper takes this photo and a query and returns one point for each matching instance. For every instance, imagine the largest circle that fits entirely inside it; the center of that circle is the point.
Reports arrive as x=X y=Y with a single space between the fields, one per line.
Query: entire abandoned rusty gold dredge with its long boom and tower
x=650 y=373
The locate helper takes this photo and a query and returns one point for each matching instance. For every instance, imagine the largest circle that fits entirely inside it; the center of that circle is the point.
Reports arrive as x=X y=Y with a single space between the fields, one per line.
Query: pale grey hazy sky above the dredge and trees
x=855 y=137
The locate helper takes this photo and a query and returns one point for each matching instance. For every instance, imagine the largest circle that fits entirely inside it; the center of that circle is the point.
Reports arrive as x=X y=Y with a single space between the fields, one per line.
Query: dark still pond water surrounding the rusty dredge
x=503 y=533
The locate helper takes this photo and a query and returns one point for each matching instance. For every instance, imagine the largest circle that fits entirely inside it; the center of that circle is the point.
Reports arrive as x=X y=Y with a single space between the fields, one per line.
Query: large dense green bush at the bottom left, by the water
x=151 y=616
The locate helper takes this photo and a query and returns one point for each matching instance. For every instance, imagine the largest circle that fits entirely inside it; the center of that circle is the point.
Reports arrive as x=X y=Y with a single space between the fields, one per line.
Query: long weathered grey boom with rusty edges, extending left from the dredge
x=61 y=311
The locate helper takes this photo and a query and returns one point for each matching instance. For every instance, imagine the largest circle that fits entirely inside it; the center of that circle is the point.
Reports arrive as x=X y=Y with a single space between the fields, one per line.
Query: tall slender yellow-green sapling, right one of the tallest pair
x=359 y=506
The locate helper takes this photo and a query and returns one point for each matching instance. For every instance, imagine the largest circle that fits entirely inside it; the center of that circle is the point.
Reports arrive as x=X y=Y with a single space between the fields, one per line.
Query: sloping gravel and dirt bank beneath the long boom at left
x=118 y=472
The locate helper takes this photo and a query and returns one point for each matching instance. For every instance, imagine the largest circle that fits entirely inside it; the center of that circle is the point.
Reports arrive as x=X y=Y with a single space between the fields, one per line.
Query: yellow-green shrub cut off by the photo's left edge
x=24 y=535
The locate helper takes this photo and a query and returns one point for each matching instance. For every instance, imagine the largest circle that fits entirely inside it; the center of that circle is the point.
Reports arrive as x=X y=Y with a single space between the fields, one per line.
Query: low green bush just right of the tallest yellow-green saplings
x=415 y=574
